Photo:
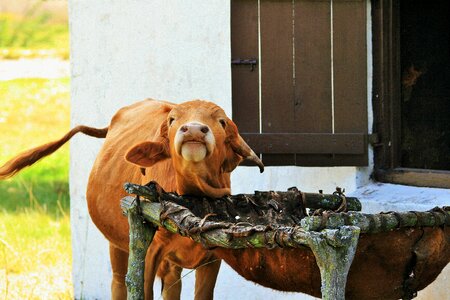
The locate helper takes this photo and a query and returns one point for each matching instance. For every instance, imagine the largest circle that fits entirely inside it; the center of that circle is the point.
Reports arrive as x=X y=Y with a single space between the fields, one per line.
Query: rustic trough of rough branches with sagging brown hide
x=271 y=239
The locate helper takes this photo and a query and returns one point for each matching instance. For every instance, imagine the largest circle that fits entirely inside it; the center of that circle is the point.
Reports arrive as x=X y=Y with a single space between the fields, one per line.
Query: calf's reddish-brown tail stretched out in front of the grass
x=31 y=156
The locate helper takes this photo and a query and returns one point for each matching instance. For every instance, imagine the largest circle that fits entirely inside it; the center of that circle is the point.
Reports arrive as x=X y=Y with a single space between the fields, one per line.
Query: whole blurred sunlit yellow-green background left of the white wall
x=35 y=248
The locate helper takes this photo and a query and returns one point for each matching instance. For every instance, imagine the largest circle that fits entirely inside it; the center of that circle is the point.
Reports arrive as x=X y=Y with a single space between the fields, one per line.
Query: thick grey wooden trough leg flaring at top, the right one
x=334 y=250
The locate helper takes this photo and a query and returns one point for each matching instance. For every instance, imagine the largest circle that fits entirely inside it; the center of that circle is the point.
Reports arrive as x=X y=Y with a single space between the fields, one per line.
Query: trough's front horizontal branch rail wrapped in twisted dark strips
x=178 y=219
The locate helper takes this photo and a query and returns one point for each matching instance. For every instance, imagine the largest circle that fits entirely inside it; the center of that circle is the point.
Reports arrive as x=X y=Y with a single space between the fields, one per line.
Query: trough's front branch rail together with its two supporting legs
x=334 y=248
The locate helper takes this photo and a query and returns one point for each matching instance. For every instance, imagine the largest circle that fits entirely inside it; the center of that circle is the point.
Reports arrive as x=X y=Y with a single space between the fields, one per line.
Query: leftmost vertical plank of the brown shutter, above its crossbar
x=245 y=83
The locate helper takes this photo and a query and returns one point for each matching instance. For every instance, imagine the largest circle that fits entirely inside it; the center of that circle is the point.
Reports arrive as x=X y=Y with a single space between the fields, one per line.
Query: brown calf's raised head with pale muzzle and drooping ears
x=203 y=144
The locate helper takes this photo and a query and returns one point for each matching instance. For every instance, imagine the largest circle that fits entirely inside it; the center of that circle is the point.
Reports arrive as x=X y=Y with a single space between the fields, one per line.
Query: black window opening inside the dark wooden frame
x=425 y=84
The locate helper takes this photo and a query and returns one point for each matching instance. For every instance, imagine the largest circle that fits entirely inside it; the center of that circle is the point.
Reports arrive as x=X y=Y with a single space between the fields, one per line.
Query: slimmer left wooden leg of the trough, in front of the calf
x=141 y=235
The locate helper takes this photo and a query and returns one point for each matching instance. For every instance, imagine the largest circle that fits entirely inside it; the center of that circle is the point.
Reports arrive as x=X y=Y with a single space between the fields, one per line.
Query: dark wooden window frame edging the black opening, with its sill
x=386 y=97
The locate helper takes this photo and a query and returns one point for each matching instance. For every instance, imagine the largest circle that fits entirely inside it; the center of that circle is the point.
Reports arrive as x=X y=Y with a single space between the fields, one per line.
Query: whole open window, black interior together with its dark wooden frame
x=411 y=92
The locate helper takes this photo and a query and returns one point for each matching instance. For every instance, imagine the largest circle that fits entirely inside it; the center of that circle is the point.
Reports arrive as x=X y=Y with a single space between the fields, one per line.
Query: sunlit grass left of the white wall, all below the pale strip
x=35 y=250
